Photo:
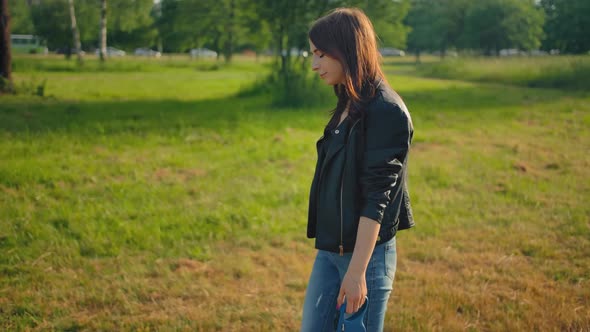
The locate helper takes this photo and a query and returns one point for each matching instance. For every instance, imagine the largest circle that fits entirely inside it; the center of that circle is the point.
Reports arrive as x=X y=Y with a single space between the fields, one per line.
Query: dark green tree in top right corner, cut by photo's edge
x=567 y=26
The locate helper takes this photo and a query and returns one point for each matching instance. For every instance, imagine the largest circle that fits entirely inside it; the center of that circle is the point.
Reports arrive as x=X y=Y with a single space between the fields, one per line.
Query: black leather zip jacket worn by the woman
x=363 y=177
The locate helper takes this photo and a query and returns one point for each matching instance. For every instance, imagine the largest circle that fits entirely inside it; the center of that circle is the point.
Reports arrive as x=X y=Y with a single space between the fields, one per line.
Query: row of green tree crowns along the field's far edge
x=227 y=26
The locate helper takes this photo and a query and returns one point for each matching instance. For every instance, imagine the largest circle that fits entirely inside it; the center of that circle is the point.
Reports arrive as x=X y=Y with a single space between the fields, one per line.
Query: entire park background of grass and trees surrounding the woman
x=168 y=190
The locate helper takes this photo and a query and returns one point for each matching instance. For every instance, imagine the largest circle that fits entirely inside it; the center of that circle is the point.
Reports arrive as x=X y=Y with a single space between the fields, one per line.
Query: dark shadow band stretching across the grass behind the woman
x=488 y=102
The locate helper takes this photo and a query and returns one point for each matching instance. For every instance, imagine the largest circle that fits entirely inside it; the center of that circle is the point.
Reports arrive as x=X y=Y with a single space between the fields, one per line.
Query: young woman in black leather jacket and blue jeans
x=359 y=197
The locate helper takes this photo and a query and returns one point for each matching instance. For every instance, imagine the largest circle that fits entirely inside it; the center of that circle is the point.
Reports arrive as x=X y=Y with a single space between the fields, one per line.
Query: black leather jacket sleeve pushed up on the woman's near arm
x=388 y=136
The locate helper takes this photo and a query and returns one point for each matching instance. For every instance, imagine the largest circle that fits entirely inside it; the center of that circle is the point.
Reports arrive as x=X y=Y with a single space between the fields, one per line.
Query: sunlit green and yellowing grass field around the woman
x=147 y=196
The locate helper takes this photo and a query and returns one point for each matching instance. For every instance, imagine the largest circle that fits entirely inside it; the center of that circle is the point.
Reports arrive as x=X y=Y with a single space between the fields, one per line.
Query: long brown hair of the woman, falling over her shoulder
x=347 y=35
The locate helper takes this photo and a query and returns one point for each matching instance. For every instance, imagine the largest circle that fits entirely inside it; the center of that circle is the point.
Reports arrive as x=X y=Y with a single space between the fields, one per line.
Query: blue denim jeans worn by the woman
x=319 y=308
